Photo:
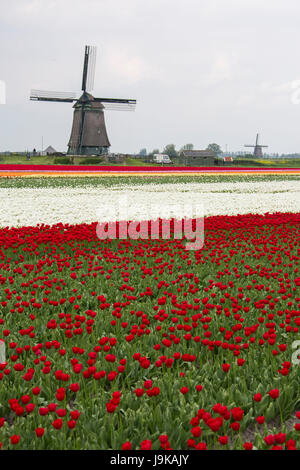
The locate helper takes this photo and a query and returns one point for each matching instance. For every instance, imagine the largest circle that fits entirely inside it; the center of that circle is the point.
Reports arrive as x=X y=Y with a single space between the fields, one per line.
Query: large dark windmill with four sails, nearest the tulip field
x=88 y=134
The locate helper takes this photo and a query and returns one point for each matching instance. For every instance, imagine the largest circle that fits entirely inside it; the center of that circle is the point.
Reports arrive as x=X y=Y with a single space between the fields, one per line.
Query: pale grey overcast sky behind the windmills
x=202 y=71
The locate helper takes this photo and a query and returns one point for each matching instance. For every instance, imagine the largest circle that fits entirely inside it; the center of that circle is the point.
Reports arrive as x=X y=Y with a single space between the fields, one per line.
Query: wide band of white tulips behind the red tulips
x=89 y=202
